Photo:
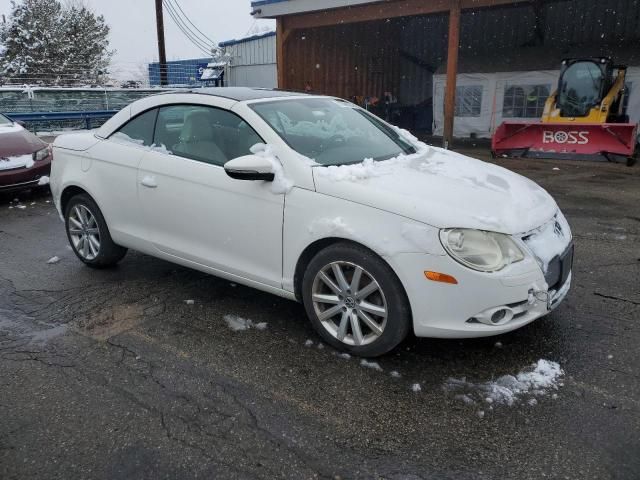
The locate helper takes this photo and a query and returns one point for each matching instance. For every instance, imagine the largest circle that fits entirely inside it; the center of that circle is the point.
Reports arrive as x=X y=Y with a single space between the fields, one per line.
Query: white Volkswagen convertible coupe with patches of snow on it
x=314 y=199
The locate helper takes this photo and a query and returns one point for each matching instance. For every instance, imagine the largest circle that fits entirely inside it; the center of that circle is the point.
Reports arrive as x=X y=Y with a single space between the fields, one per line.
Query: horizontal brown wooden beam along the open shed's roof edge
x=382 y=11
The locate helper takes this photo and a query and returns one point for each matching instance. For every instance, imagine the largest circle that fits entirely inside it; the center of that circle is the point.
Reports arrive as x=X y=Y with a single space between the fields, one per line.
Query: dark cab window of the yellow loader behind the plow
x=580 y=89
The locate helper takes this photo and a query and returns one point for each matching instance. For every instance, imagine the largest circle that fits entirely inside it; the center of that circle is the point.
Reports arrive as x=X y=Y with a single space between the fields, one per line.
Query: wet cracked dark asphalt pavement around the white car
x=113 y=375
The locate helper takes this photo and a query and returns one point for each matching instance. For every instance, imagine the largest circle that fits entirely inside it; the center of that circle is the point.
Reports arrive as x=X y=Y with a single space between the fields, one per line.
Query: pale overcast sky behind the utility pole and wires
x=133 y=30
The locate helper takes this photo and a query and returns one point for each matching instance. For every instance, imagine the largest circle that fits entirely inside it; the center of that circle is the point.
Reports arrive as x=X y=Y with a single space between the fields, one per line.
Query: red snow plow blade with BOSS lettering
x=607 y=141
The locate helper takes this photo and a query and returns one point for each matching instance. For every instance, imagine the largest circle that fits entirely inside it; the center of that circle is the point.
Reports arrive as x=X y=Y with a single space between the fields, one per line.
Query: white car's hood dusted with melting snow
x=443 y=189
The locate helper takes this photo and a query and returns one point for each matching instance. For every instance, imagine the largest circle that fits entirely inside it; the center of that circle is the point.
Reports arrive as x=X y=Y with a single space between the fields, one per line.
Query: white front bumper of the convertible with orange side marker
x=457 y=311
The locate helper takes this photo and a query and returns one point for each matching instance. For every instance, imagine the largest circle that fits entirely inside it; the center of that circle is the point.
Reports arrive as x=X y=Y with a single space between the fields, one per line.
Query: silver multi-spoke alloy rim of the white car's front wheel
x=349 y=303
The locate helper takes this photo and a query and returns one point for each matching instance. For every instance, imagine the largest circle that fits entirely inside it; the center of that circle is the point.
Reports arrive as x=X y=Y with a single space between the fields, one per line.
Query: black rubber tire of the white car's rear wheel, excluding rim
x=108 y=254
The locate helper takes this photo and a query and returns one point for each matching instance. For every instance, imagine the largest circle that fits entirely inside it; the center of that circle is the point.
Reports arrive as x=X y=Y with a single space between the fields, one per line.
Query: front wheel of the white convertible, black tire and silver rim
x=355 y=301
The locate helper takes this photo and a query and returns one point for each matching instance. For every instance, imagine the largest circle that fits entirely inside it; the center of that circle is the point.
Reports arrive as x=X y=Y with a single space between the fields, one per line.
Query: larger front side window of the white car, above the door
x=206 y=134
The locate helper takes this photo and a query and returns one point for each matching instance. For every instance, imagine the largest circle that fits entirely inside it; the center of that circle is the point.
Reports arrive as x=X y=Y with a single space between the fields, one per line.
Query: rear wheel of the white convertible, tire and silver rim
x=88 y=234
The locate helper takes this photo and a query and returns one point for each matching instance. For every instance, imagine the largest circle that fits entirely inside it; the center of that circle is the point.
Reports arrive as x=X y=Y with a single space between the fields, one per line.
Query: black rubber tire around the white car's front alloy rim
x=391 y=291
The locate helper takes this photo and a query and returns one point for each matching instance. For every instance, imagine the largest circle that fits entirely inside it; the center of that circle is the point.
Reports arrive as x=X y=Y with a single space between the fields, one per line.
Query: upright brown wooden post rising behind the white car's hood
x=452 y=72
